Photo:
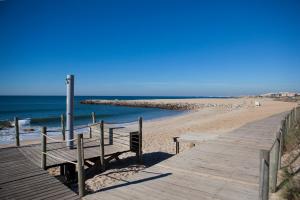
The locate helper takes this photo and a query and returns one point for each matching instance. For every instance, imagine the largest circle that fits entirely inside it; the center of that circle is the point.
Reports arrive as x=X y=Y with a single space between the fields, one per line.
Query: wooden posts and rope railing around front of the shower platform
x=134 y=145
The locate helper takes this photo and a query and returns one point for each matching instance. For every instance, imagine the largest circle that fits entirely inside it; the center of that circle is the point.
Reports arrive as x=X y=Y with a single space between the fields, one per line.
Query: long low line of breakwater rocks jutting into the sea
x=161 y=105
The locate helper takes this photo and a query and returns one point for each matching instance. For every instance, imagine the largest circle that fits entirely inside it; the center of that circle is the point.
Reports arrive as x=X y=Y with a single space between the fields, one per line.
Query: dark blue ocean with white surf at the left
x=46 y=111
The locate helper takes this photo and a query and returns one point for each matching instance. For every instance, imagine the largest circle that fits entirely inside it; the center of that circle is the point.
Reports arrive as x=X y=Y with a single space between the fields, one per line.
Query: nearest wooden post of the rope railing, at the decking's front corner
x=80 y=165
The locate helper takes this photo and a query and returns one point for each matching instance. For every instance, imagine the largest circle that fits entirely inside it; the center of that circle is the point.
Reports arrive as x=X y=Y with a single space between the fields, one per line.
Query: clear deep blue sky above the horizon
x=149 y=47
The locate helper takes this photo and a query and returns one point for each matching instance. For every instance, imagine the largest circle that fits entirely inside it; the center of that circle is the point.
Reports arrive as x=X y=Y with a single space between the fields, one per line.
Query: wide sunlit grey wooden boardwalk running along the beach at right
x=225 y=168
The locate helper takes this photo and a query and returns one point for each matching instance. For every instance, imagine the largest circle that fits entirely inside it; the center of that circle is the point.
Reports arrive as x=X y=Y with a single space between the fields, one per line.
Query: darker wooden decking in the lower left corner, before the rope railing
x=22 y=179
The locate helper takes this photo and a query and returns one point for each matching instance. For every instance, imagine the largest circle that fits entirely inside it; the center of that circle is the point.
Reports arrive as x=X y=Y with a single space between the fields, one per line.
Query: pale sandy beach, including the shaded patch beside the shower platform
x=207 y=122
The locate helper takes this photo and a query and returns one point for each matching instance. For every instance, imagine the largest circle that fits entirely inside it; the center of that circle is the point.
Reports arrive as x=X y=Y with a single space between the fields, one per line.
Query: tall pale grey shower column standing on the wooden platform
x=70 y=109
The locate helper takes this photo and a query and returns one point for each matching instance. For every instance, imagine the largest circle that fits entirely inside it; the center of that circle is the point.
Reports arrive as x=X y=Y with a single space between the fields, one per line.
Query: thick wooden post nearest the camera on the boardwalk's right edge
x=264 y=175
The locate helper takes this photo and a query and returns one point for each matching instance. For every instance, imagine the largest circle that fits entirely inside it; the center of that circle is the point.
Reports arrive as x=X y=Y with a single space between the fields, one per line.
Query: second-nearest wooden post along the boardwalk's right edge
x=274 y=162
